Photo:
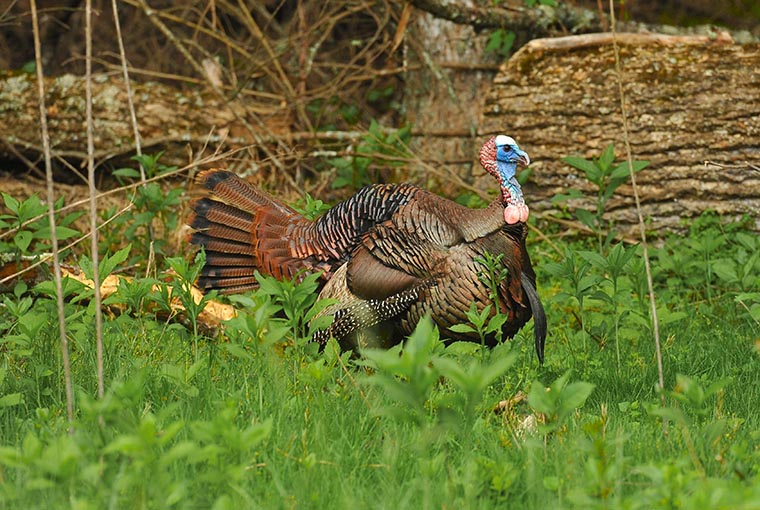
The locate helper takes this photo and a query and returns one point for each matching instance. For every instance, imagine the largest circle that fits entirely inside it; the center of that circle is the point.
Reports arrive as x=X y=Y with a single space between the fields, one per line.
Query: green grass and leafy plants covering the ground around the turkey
x=259 y=418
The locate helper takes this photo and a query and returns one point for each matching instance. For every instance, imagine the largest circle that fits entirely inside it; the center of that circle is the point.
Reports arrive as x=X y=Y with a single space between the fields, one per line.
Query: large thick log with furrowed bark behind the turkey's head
x=693 y=109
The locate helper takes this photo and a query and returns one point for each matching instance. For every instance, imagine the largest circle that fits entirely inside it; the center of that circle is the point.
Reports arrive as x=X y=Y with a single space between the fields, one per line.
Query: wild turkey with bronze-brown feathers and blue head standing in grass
x=390 y=254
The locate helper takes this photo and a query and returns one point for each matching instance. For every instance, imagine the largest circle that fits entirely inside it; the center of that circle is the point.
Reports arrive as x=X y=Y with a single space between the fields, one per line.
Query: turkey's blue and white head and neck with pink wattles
x=500 y=156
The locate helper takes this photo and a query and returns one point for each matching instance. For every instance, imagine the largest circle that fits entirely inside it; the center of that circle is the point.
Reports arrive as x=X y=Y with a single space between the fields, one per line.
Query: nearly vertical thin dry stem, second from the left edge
x=93 y=199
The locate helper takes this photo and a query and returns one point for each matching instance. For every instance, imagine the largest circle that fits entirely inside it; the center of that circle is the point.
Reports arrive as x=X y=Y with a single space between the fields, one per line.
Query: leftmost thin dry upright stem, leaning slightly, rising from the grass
x=51 y=218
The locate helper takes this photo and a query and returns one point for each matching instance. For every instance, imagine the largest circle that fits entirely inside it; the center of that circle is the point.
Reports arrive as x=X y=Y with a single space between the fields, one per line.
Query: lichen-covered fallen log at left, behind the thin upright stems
x=183 y=123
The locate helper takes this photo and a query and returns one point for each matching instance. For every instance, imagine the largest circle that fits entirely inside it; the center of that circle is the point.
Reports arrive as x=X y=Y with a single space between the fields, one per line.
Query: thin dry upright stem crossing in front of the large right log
x=642 y=230
